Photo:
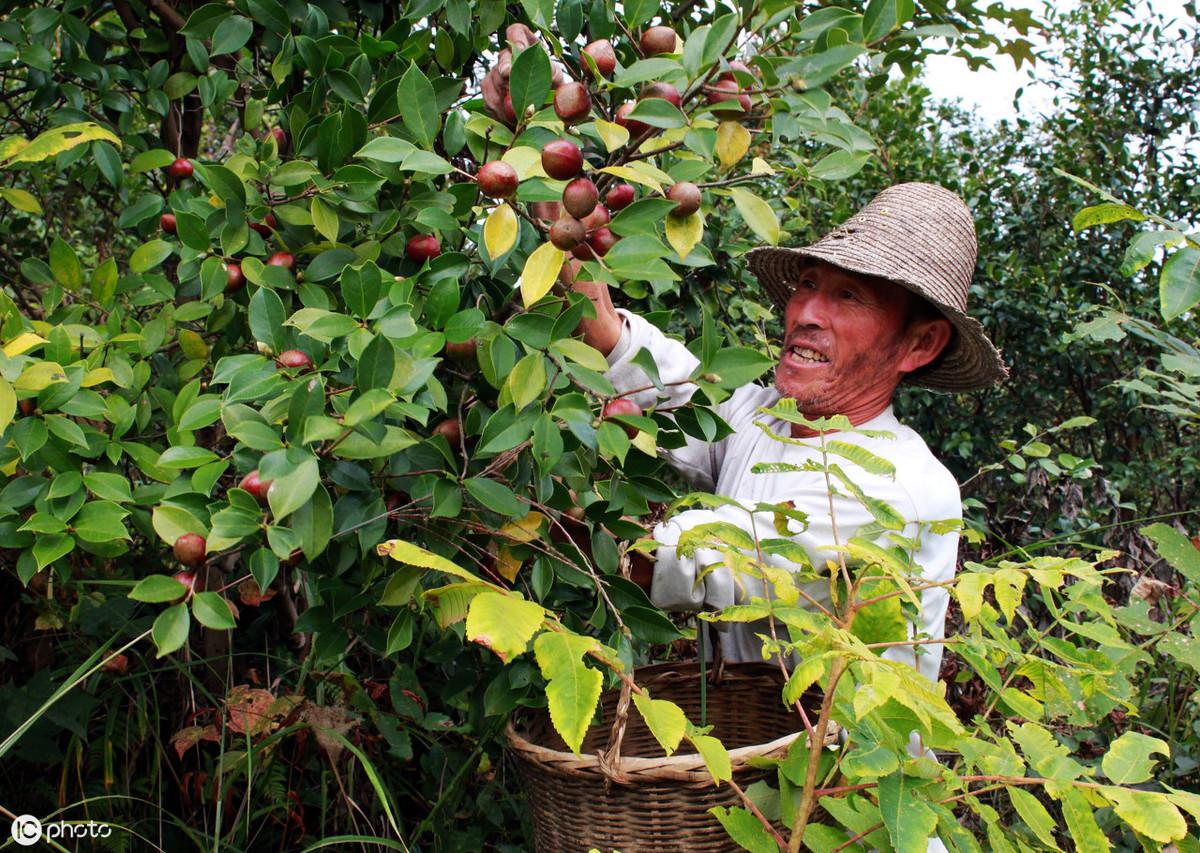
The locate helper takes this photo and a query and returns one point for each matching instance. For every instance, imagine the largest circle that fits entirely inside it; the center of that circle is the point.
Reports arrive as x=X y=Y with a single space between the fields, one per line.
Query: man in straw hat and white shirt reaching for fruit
x=878 y=302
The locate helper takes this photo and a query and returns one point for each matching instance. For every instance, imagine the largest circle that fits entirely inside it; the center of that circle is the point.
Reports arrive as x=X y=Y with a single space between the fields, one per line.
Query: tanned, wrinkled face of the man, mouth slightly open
x=849 y=341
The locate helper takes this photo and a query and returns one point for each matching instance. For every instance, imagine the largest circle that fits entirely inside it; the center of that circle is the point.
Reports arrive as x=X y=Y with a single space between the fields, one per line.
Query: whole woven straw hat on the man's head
x=921 y=237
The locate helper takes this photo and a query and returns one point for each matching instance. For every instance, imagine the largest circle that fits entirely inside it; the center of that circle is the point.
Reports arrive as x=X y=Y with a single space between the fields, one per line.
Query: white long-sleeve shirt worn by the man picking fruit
x=922 y=491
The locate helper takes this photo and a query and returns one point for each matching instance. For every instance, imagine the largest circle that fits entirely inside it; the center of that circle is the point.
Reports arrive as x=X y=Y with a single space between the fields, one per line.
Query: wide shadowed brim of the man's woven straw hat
x=970 y=362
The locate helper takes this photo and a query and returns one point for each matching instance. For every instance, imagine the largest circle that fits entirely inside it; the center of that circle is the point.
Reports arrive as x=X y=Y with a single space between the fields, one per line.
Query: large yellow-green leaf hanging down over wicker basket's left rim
x=573 y=688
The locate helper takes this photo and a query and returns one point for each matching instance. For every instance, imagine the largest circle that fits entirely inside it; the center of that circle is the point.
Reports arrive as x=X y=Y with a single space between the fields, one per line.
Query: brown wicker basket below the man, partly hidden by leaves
x=638 y=800
